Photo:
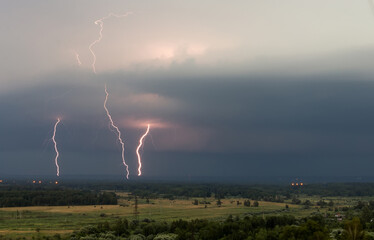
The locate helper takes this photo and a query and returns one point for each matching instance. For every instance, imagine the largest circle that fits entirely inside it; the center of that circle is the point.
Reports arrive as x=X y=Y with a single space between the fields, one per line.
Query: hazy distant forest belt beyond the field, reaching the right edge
x=272 y=193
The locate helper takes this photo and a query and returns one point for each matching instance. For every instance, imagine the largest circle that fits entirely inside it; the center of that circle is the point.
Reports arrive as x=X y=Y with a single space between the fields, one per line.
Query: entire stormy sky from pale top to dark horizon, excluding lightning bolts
x=224 y=98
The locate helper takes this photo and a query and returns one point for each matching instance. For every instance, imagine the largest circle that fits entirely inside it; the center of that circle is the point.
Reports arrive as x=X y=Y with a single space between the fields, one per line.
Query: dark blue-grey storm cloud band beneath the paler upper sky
x=202 y=126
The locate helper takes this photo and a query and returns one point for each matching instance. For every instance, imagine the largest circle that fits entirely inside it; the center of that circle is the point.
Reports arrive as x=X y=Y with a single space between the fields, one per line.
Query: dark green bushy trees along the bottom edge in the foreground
x=269 y=228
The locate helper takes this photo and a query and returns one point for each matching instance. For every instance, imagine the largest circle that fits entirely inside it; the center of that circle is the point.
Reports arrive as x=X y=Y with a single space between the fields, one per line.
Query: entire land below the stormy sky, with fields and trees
x=181 y=210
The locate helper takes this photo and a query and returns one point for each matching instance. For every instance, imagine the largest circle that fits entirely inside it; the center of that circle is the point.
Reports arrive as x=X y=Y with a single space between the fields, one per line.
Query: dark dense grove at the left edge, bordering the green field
x=28 y=196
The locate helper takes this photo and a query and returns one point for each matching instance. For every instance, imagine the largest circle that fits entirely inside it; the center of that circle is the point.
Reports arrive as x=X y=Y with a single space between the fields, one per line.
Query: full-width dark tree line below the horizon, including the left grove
x=92 y=192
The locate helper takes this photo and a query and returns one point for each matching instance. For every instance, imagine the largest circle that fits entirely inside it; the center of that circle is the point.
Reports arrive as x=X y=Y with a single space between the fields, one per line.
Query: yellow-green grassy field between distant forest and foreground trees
x=30 y=221
